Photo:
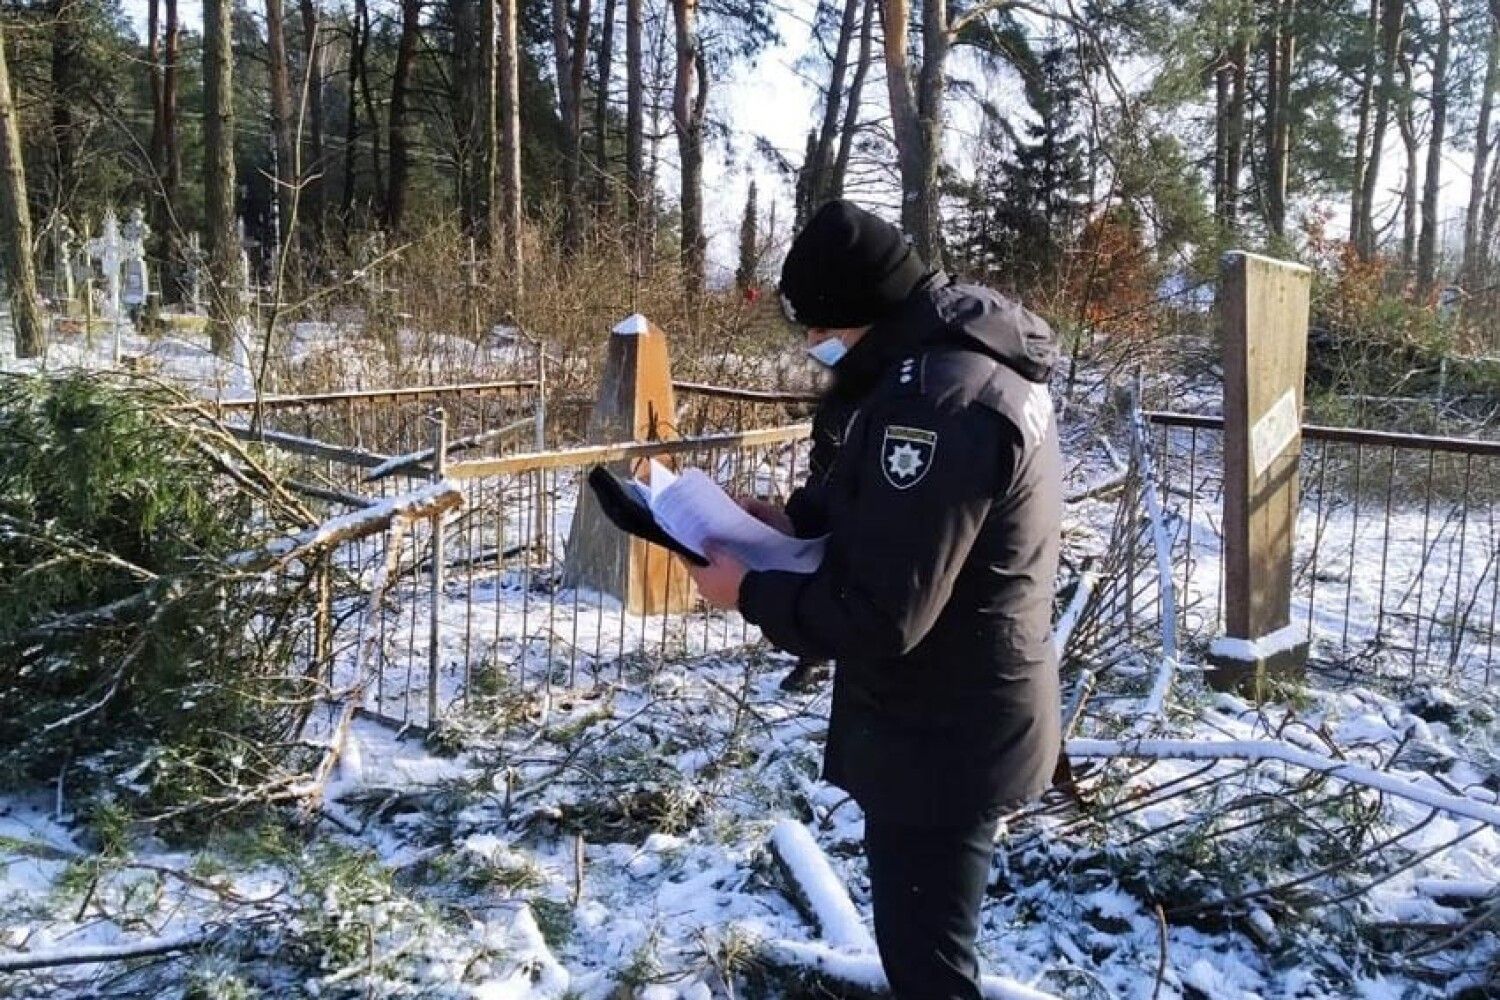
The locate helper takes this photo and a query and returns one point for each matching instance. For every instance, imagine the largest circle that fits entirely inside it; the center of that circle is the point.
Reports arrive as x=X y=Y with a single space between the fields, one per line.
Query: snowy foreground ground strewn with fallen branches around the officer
x=589 y=824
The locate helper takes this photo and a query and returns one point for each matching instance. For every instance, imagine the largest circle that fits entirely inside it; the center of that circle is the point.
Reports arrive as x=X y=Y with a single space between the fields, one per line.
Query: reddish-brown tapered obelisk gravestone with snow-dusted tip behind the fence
x=635 y=404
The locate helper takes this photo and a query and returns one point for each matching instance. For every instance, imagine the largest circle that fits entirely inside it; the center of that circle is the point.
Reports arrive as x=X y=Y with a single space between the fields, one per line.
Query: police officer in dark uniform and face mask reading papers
x=935 y=596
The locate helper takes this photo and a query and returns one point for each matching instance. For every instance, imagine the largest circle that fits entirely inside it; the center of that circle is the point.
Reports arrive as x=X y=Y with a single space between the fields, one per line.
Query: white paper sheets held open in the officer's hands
x=698 y=513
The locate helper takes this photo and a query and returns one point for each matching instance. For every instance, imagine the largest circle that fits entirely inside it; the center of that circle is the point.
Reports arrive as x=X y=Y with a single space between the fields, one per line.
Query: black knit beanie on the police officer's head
x=848 y=269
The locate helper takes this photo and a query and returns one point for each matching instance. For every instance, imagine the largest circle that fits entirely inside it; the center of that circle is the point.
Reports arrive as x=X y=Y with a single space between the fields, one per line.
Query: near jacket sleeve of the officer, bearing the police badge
x=899 y=536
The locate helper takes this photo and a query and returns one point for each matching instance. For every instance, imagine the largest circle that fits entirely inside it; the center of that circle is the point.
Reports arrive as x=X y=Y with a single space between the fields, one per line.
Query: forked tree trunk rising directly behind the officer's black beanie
x=917 y=119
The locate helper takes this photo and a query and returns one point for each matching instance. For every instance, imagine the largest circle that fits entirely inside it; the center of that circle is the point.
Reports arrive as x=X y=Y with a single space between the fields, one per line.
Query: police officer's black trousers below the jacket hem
x=928 y=885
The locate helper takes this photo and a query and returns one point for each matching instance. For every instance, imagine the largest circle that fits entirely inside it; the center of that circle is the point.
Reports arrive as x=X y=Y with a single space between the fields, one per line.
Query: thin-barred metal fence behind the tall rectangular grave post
x=1397 y=543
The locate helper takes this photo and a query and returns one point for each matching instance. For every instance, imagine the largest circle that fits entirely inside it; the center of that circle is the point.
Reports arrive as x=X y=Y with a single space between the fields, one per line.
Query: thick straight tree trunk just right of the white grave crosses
x=218 y=176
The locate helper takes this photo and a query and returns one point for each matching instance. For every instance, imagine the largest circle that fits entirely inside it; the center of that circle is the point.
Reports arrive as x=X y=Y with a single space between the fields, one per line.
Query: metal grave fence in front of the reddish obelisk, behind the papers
x=490 y=611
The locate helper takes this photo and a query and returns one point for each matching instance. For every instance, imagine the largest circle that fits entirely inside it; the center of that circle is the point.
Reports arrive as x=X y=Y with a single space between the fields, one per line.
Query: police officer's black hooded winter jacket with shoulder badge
x=943 y=506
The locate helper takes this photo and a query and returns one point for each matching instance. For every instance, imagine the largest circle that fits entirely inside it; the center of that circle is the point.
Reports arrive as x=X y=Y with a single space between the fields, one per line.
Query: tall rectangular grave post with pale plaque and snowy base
x=1265 y=332
